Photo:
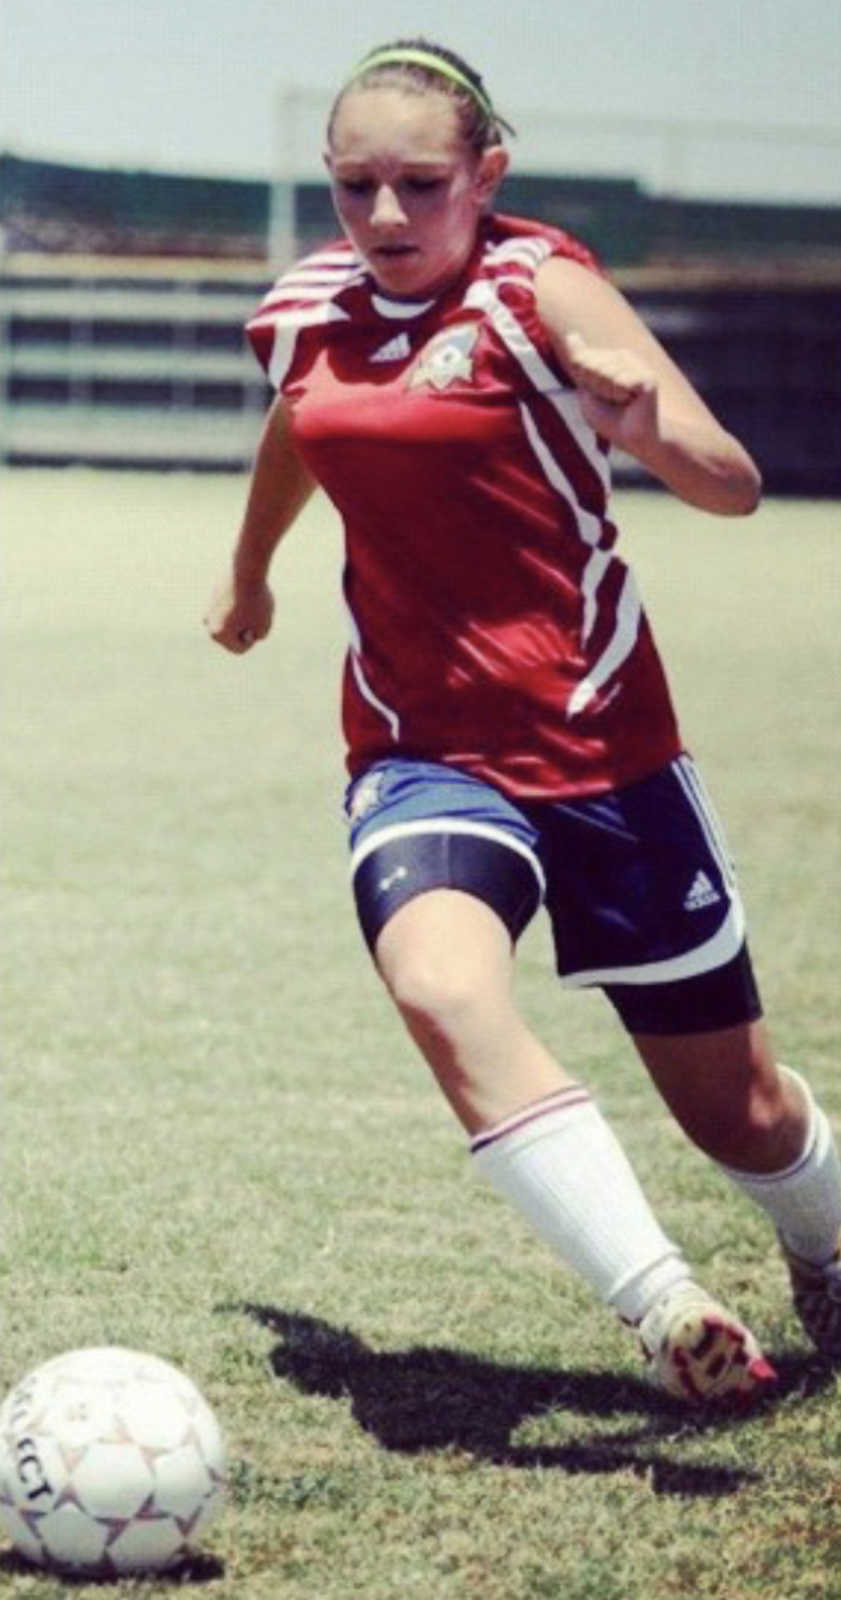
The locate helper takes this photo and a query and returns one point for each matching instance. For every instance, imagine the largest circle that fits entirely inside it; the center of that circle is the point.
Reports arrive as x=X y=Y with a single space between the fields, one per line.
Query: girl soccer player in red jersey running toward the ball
x=455 y=380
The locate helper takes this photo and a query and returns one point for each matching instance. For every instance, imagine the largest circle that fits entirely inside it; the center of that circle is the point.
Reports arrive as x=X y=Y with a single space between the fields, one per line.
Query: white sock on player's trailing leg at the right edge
x=803 y=1201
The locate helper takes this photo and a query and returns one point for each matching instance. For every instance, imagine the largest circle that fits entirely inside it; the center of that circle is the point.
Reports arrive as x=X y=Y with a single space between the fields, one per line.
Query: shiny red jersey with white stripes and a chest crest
x=493 y=626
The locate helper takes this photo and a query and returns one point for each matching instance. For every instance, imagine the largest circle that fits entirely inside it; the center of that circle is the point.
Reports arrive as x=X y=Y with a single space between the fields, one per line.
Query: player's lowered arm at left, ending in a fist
x=242 y=607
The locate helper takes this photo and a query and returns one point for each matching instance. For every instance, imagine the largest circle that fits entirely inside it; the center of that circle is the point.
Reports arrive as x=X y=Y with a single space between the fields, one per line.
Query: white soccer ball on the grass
x=111 y=1462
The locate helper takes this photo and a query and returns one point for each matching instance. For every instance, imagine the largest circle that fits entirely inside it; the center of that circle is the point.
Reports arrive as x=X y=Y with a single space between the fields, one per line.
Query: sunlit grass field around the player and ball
x=220 y=1146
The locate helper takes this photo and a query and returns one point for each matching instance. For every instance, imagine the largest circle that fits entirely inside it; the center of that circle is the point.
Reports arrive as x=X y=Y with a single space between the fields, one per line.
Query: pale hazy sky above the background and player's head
x=194 y=86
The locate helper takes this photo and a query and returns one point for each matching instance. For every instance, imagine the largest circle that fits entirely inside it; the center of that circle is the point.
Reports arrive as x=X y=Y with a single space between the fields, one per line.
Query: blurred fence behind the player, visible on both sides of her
x=146 y=364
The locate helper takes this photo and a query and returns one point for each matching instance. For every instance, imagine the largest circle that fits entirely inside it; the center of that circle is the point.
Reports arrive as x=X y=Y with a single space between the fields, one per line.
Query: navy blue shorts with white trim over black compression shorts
x=637 y=882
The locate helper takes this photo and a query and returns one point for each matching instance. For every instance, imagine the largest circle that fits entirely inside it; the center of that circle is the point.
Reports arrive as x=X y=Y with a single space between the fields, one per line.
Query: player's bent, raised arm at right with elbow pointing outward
x=634 y=396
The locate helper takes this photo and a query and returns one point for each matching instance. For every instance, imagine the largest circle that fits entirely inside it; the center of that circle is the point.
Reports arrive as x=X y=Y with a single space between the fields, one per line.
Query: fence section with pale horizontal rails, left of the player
x=116 y=364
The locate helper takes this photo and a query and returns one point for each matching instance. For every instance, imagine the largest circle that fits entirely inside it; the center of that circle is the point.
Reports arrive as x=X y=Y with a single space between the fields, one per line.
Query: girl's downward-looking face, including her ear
x=407 y=188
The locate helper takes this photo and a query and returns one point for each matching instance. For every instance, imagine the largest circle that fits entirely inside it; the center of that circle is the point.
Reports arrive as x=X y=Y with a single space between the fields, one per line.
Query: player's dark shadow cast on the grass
x=439 y=1399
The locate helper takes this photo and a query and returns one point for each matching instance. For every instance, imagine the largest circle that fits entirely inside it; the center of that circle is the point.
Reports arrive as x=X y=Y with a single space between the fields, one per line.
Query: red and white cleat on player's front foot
x=700 y=1353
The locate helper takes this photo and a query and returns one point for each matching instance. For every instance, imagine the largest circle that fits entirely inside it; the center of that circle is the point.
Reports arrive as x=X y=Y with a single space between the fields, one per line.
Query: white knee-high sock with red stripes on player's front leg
x=559 y=1162
